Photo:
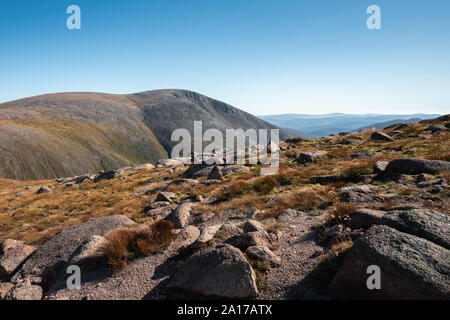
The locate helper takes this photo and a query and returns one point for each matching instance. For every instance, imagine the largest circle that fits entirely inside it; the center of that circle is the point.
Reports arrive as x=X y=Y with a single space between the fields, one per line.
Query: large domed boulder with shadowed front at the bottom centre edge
x=222 y=272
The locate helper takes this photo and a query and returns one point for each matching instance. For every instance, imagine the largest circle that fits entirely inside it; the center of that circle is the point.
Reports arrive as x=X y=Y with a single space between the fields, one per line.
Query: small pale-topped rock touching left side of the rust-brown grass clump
x=88 y=254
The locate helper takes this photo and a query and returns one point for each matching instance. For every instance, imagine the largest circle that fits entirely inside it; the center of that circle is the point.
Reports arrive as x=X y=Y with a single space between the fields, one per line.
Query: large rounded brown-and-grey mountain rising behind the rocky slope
x=67 y=134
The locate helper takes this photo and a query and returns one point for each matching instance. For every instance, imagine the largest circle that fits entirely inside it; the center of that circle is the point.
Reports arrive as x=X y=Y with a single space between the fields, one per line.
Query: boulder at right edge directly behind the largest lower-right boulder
x=422 y=223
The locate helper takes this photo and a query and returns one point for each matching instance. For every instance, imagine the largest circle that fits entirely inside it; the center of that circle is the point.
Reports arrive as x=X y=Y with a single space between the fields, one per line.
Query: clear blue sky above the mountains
x=263 y=56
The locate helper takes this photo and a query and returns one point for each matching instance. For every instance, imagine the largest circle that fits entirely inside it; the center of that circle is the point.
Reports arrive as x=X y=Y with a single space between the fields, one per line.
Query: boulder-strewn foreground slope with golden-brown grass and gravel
x=337 y=207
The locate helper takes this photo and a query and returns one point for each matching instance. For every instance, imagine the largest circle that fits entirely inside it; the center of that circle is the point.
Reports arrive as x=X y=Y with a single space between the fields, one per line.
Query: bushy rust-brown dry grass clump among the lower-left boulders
x=129 y=243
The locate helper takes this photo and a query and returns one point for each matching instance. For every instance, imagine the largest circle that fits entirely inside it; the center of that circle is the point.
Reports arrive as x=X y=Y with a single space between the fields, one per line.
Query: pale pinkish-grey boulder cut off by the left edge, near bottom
x=14 y=253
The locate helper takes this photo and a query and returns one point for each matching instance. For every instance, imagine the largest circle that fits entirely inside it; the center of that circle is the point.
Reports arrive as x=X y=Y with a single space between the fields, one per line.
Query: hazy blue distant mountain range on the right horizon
x=311 y=126
